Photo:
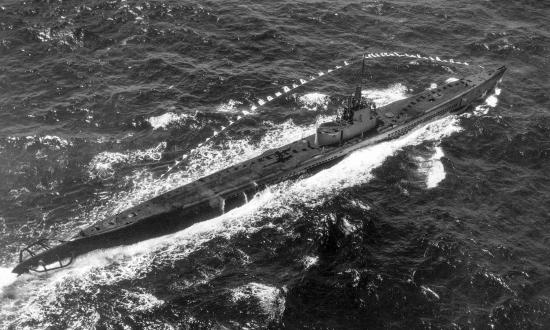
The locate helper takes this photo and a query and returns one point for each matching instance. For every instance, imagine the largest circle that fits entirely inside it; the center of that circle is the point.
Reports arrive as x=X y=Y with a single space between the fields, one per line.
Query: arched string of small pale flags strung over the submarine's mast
x=286 y=90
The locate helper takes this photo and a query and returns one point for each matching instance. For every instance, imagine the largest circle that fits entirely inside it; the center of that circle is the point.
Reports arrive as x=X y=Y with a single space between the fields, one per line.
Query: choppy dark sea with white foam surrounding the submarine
x=445 y=228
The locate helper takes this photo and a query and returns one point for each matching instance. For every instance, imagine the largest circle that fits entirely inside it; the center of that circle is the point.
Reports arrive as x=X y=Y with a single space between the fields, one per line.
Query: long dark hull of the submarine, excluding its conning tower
x=224 y=190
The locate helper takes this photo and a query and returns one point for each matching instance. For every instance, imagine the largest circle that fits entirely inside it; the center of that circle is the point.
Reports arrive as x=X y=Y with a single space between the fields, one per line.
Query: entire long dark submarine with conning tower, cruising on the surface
x=360 y=124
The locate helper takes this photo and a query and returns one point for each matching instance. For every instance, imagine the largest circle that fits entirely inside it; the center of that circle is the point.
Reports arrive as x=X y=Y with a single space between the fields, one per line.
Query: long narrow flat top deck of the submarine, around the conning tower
x=274 y=164
